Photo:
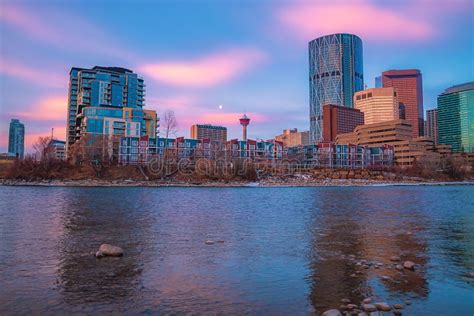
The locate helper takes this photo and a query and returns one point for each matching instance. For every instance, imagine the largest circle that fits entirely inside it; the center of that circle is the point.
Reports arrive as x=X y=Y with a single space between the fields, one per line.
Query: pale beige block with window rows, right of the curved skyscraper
x=377 y=104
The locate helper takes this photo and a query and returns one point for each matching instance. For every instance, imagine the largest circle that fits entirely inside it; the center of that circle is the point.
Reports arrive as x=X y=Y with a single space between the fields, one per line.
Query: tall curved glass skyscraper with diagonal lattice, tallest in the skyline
x=335 y=74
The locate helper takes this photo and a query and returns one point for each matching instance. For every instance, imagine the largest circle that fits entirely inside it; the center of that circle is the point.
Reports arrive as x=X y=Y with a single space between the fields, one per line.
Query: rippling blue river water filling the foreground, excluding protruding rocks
x=275 y=251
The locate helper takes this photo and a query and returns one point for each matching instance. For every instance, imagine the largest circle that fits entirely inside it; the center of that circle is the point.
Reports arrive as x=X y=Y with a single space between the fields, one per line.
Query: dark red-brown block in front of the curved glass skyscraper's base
x=339 y=119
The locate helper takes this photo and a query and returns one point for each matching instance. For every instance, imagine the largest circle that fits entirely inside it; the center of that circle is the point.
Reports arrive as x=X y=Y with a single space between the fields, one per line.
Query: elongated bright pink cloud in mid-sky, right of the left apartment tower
x=205 y=71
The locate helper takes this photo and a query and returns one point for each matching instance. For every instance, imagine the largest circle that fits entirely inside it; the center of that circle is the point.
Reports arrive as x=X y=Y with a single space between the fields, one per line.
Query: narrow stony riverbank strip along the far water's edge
x=268 y=182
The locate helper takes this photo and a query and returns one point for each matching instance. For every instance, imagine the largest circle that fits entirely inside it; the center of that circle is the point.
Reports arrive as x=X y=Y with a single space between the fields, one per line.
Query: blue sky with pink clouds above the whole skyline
x=247 y=56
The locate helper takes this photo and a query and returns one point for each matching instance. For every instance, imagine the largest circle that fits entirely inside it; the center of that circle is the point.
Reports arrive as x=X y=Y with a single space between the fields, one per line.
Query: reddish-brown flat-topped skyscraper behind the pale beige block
x=410 y=95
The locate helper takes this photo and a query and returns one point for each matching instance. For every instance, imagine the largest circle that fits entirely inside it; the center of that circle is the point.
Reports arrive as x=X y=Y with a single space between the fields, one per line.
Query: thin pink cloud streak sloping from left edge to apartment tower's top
x=15 y=69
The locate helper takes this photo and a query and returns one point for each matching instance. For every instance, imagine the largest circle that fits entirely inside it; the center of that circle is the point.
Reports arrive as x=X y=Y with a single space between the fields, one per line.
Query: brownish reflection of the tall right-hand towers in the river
x=352 y=232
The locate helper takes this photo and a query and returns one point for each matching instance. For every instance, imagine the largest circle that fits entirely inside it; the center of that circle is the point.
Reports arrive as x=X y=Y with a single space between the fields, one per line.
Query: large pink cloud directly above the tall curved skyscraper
x=364 y=18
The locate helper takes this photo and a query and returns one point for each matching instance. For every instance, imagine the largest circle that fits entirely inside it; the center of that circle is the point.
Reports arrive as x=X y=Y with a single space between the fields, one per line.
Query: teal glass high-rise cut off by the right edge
x=456 y=117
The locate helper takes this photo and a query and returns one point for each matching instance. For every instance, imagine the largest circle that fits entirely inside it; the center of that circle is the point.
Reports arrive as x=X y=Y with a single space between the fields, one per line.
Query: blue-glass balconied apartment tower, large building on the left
x=108 y=101
